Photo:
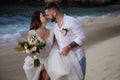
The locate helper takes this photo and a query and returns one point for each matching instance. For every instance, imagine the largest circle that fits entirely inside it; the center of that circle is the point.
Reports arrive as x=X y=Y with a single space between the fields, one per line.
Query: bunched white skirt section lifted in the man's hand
x=63 y=67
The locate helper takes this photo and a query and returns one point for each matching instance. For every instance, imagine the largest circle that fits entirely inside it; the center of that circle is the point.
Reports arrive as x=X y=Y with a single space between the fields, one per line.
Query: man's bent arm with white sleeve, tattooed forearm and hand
x=77 y=29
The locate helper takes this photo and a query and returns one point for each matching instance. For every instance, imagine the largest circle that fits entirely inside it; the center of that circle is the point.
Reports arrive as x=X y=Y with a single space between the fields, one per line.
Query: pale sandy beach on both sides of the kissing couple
x=101 y=47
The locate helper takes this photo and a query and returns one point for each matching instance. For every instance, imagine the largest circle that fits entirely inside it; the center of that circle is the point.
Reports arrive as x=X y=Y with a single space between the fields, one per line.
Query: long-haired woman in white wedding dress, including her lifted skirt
x=54 y=66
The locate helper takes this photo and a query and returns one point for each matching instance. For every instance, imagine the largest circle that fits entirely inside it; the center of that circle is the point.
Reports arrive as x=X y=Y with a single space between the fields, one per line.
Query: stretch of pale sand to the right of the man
x=102 y=48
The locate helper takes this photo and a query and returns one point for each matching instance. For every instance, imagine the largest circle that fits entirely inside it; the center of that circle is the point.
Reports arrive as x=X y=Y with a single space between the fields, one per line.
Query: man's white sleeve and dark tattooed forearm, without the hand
x=78 y=30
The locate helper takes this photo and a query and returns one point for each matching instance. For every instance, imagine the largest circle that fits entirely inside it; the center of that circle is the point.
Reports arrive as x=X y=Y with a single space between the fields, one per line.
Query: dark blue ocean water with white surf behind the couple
x=15 y=19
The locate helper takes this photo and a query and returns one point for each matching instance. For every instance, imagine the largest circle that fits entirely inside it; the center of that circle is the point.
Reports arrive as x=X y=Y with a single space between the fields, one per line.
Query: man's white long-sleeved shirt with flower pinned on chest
x=75 y=33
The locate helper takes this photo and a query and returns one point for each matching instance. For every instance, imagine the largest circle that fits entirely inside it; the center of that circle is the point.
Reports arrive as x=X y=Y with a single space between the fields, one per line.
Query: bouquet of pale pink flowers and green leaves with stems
x=31 y=46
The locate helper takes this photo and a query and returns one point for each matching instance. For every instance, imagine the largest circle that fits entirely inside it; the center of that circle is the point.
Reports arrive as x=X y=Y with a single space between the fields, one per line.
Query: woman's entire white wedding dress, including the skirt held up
x=58 y=67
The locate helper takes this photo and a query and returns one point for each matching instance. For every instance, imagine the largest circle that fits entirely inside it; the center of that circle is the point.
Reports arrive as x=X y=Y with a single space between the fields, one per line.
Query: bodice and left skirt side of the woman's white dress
x=32 y=72
